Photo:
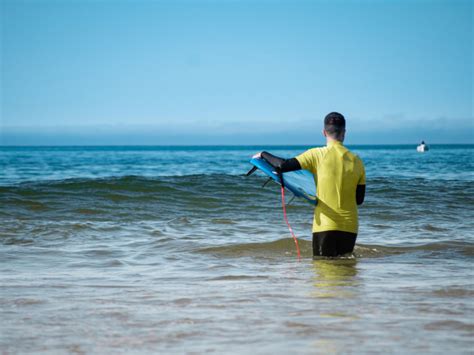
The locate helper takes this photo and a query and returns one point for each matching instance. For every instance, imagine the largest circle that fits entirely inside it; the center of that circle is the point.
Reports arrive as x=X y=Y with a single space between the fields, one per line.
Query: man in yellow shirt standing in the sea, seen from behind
x=340 y=181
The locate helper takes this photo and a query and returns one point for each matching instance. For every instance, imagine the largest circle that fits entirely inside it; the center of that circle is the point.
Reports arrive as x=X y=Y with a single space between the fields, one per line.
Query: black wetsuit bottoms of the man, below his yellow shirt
x=333 y=243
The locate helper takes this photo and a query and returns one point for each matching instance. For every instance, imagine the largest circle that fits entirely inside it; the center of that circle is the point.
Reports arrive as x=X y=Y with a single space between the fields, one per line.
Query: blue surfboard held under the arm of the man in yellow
x=299 y=182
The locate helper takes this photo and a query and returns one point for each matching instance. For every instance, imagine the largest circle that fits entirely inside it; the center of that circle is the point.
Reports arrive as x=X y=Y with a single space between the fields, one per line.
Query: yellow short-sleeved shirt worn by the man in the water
x=337 y=172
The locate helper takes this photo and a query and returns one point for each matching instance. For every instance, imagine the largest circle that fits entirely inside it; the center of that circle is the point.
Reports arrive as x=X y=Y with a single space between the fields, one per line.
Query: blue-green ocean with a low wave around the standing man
x=174 y=250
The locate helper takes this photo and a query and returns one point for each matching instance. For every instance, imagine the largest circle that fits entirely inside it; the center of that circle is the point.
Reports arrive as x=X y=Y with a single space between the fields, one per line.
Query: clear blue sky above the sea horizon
x=235 y=72
